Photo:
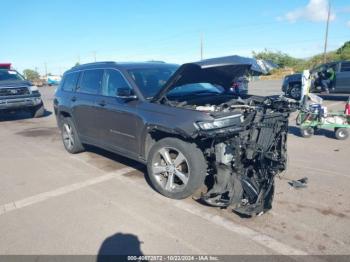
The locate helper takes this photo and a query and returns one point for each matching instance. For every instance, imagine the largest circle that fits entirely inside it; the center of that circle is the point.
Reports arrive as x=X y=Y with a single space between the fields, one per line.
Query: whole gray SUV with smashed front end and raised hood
x=184 y=123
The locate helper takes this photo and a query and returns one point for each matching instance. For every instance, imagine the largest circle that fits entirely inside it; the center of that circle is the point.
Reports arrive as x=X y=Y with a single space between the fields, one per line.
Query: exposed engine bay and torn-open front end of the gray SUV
x=244 y=158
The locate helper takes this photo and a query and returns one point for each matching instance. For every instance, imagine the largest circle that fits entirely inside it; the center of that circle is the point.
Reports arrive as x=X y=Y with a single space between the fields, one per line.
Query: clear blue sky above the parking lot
x=62 y=32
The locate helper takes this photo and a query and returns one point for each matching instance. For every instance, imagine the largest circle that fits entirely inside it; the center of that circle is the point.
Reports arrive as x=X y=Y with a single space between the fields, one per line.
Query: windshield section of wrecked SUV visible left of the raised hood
x=151 y=80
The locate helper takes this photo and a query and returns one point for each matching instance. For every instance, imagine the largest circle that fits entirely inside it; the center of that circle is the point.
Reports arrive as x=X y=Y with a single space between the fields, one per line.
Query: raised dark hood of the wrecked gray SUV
x=218 y=71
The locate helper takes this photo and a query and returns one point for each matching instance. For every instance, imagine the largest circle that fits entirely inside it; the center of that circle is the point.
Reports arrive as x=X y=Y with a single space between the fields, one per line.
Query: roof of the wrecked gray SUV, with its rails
x=122 y=65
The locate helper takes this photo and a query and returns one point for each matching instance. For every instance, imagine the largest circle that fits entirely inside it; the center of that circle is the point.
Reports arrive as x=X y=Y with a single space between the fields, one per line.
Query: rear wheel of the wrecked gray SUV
x=70 y=137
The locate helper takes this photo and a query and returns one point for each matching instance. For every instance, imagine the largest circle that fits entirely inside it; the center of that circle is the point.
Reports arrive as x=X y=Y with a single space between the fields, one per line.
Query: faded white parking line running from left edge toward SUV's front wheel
x=61 y=191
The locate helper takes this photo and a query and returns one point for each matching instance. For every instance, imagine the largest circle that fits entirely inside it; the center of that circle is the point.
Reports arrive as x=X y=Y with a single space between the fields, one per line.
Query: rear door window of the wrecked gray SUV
x=91 y=81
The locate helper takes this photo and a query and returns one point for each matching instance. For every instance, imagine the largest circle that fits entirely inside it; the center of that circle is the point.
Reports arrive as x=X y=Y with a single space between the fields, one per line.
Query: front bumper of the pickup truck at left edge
x=20 y=102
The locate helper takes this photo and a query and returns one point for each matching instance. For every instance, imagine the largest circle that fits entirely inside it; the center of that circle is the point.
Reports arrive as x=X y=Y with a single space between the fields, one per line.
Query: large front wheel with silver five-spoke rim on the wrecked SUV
x=176 y=168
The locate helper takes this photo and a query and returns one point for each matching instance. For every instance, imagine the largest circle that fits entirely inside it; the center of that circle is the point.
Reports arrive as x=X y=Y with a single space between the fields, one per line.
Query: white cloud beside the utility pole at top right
x=315 y=11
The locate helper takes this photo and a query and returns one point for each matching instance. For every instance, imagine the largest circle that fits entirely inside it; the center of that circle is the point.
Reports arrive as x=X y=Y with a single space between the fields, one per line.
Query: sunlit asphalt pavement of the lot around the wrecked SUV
x=96 y=202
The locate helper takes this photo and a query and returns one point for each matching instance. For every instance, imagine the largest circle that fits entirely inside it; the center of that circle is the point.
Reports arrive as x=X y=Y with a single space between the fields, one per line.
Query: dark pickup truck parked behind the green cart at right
x=292 y=83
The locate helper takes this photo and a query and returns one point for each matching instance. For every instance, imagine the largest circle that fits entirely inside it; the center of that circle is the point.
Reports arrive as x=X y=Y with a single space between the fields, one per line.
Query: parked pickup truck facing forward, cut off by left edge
x=17 y=94
